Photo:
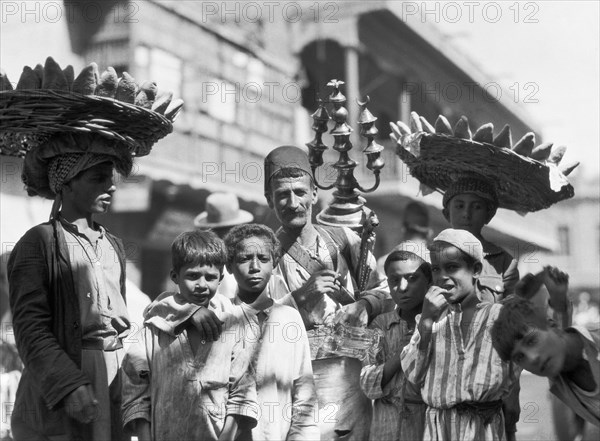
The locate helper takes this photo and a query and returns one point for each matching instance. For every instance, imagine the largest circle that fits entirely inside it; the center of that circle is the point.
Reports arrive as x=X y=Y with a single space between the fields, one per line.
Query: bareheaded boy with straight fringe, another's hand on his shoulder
x=181 y=387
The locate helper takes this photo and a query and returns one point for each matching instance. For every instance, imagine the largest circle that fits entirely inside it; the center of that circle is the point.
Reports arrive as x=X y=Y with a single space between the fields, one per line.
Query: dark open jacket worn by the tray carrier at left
x=48 y=334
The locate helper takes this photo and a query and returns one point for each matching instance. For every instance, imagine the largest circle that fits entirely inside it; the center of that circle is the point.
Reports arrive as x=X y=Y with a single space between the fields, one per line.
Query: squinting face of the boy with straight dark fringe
x=197 y=283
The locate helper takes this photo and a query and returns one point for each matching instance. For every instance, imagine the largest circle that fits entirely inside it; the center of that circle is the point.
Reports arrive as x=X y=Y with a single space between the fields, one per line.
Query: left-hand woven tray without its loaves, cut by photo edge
x=27 y=117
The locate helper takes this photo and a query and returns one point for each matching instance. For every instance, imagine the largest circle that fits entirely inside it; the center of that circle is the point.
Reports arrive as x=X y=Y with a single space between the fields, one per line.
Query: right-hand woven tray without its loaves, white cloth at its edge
x=522 y=184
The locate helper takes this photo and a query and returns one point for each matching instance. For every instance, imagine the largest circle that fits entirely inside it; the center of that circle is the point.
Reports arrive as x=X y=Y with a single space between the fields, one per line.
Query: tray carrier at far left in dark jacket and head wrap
x=67 y=294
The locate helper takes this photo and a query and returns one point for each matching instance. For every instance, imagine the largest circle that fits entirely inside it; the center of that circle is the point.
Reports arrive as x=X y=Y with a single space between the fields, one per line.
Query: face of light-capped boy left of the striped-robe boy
x=408 y=285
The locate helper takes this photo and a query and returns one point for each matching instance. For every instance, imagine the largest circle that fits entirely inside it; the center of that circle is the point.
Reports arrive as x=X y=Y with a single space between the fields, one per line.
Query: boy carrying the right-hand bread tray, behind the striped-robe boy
x=470 y=203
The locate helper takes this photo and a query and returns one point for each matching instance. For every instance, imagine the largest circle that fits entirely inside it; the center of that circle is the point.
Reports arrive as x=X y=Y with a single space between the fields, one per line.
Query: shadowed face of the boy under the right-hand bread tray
x=468 y=212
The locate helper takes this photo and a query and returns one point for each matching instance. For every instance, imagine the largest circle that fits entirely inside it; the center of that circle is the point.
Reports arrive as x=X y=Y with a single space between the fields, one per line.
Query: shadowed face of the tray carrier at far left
x=90 y=192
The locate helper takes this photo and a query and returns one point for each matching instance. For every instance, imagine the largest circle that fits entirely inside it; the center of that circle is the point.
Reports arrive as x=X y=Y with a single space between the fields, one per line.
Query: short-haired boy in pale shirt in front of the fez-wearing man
x=281 y=354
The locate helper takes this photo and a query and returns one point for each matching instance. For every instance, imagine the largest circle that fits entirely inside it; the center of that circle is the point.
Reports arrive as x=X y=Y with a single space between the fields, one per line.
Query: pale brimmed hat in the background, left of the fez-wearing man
x=222 y=210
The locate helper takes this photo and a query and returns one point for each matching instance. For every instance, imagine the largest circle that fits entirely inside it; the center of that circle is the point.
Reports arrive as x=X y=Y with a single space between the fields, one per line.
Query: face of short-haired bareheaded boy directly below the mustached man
x=253 y=264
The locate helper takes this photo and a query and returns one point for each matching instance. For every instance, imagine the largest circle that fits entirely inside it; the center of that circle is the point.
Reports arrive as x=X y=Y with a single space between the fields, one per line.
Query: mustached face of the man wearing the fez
x=292 y=199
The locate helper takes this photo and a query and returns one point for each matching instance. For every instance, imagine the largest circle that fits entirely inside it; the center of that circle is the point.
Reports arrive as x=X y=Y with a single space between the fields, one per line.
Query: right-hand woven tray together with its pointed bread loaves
x=525 y=178
